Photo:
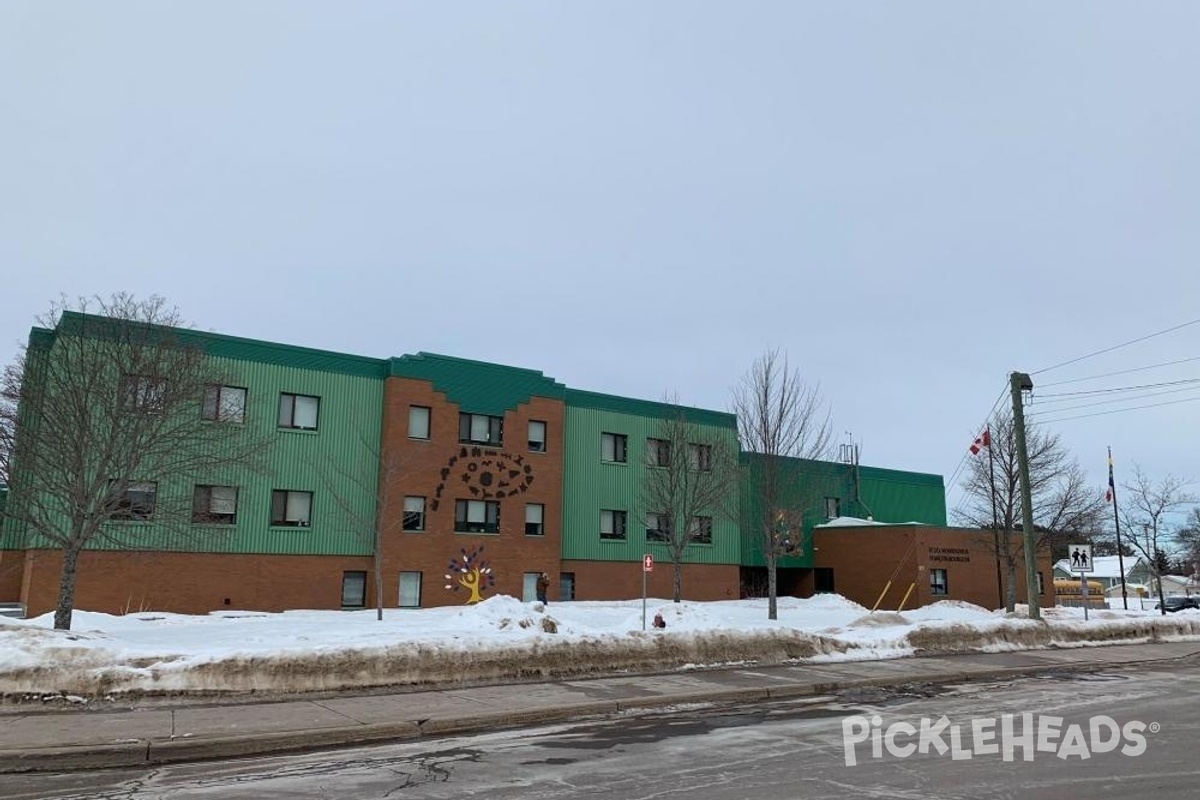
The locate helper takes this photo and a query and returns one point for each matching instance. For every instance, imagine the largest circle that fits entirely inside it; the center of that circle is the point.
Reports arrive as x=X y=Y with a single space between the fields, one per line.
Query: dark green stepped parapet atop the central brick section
x=477 y=387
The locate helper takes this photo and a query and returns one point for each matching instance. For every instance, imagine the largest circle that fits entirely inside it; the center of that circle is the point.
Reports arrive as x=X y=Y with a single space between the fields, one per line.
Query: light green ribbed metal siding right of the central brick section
x=591 y=485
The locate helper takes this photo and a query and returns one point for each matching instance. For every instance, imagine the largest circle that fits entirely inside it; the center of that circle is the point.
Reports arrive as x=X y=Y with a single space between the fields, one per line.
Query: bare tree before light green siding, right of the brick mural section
x=692 y=479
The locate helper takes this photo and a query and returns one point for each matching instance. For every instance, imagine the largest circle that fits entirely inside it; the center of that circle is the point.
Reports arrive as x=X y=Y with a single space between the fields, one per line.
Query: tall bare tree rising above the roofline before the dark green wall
x=779 y=417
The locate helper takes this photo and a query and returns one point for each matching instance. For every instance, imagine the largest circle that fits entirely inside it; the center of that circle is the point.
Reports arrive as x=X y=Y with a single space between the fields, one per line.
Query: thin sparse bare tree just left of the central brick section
x=374 y=478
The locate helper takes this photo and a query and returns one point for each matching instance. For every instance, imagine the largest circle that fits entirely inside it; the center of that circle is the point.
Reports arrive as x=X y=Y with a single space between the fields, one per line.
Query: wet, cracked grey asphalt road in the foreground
x=778 y=751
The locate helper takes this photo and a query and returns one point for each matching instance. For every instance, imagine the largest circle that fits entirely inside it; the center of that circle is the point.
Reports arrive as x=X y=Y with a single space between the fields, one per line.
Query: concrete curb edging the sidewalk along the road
x=145 y=753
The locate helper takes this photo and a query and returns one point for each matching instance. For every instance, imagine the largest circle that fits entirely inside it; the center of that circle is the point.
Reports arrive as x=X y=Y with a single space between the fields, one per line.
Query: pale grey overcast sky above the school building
x=914 y=200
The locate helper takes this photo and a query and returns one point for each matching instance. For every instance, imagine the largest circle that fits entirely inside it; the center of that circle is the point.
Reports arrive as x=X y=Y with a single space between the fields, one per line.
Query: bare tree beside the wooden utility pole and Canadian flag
x=1065 y=503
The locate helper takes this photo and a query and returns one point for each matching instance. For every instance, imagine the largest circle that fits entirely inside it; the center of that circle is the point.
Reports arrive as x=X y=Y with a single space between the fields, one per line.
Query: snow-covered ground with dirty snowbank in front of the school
x=305 y=651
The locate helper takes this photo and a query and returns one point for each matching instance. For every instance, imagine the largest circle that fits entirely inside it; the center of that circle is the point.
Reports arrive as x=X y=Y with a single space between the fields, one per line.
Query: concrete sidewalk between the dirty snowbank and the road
x=160 y=731
